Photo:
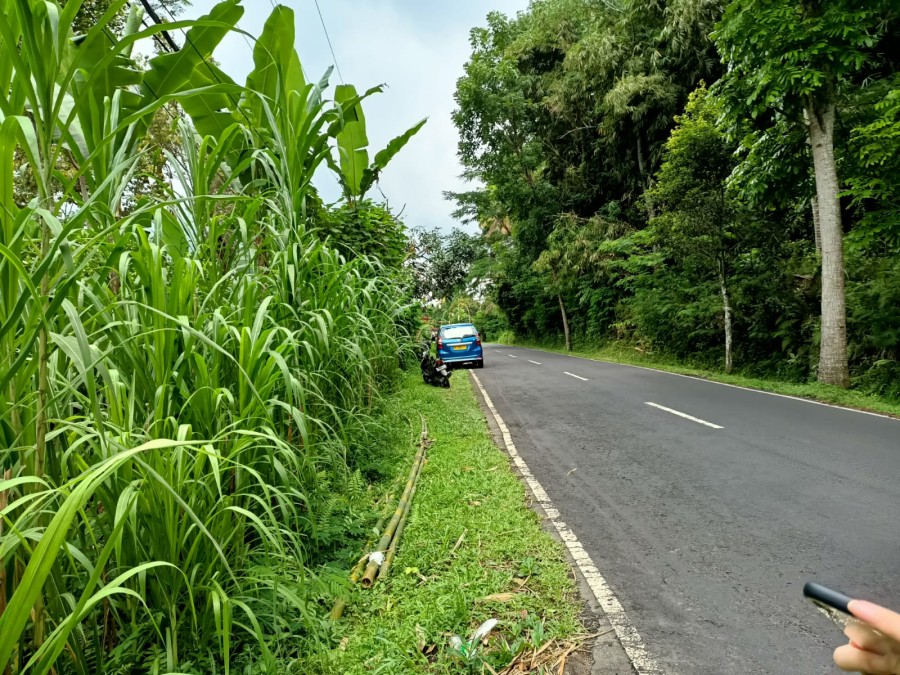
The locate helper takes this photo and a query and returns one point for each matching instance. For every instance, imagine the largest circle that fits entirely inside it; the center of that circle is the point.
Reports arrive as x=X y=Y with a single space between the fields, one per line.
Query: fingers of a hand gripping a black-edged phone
x=874 y=647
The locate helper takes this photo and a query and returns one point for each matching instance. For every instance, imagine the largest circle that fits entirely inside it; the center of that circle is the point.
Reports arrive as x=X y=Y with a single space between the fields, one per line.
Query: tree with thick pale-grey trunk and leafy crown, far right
x=793 y=59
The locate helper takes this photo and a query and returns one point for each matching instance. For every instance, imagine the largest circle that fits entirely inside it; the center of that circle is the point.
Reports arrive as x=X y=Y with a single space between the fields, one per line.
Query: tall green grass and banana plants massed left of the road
x=188 y=373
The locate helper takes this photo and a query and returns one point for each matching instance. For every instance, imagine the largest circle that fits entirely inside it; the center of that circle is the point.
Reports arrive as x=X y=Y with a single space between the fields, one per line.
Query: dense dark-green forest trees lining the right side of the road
x=646 y=171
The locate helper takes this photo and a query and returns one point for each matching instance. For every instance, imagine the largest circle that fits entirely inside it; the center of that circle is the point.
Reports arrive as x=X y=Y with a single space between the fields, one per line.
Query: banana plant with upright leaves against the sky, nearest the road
x=356 y=175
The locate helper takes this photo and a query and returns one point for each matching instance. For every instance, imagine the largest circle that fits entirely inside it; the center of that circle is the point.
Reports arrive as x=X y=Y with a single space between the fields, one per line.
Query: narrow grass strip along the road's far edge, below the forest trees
x=618 y=352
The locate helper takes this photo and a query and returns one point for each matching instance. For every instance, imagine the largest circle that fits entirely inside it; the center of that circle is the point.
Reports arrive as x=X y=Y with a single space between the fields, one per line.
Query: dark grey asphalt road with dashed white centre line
x=706 y=535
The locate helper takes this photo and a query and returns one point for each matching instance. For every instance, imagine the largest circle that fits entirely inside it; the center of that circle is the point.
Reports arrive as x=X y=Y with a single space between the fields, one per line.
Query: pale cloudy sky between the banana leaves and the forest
x=417 y=48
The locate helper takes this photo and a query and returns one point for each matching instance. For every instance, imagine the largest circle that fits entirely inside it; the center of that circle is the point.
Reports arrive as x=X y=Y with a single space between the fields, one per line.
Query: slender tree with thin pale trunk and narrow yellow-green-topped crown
x=697 y=221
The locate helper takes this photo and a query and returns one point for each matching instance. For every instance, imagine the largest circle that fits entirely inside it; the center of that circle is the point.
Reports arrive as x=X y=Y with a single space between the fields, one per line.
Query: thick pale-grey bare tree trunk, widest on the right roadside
x=833 y=367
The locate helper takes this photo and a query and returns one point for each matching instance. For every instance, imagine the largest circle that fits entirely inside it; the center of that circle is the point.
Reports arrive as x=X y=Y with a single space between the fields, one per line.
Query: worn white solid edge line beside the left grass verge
x=630 y=639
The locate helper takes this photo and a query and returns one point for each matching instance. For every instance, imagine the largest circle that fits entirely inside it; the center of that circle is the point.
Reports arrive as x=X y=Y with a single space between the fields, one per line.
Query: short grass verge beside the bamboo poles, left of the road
x=467 y=493
